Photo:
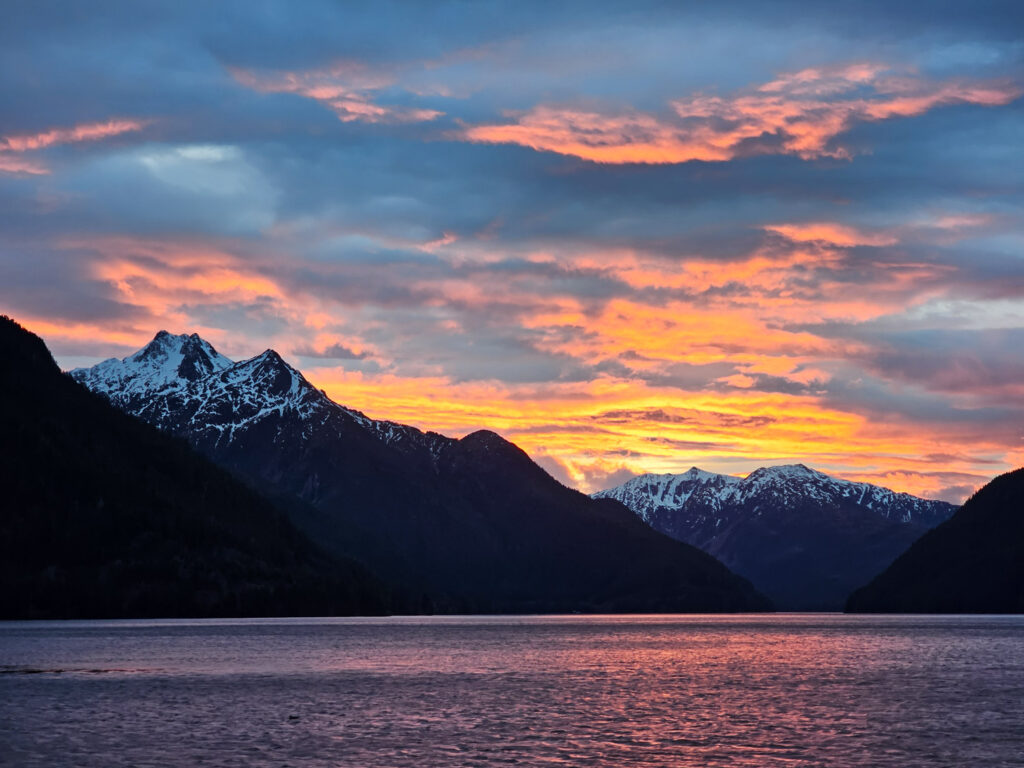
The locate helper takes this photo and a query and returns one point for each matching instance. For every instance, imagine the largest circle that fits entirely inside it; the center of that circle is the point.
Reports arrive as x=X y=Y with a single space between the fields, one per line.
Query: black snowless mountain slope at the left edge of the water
x=104 y=517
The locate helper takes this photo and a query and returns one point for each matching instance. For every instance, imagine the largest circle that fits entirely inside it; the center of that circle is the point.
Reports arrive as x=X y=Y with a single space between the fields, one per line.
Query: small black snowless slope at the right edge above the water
x=972 y=564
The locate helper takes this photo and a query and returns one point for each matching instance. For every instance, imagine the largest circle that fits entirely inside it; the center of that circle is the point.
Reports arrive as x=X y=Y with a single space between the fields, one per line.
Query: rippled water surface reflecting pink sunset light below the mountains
x=769 y=691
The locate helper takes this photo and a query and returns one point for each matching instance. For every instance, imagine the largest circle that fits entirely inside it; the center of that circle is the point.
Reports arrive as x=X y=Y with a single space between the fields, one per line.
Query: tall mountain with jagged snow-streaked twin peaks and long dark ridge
x=468 y=525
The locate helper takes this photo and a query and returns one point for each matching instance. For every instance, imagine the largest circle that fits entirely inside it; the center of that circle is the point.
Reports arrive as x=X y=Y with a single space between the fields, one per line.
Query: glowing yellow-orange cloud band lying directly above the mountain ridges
x=600 y=428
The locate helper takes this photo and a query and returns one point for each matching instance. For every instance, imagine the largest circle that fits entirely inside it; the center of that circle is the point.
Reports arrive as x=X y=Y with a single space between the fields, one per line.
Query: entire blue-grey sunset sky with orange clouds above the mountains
x=630 y=238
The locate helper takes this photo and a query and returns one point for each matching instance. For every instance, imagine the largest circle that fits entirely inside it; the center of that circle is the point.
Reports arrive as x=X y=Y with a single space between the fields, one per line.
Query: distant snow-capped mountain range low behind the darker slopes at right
x=803 y=538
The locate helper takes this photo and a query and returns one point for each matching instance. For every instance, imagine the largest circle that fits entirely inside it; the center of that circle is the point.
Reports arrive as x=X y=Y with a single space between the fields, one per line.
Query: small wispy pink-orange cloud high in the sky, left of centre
x=348 y=89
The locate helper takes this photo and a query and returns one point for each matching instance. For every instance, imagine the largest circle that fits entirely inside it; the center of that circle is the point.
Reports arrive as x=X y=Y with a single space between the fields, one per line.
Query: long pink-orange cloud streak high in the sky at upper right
x=800 y=114
